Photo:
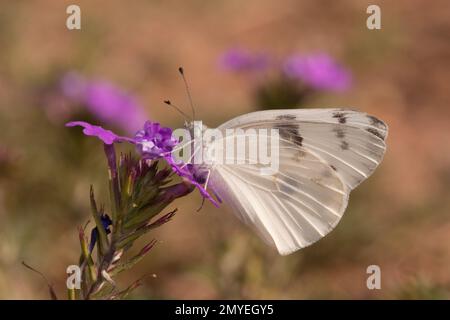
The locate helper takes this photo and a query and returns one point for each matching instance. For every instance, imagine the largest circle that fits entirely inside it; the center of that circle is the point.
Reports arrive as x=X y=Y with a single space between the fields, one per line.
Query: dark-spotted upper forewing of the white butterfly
x=351 y=142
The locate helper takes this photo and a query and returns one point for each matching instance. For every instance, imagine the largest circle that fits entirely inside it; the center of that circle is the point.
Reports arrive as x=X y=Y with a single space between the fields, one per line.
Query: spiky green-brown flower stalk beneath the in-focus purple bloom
x=140 y=191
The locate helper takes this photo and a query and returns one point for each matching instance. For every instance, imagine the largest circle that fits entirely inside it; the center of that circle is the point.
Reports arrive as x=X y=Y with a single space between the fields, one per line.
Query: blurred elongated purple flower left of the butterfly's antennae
x=105 y=101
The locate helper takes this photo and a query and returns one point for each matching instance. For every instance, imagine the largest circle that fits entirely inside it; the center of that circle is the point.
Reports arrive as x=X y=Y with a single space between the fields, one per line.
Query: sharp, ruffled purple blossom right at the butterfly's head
x=155 y=141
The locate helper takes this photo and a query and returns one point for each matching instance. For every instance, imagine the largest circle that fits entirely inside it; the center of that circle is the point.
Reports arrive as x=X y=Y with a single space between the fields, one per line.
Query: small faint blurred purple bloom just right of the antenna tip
x=241 y=60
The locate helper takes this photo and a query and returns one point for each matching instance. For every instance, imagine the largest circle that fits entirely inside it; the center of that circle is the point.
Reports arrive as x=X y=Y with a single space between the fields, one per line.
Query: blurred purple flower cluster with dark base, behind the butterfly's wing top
x=291 y=81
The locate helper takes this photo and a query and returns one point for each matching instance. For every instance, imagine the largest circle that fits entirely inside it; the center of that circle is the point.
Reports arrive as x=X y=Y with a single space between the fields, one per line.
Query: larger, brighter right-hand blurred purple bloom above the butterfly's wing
x=318 y=71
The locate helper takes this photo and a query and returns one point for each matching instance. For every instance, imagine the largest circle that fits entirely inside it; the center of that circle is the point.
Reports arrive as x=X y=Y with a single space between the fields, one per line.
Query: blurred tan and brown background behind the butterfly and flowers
x=398 y=219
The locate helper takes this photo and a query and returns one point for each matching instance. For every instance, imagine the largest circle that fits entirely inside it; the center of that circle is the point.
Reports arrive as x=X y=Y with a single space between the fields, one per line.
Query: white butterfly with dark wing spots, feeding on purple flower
x=323 y=155
